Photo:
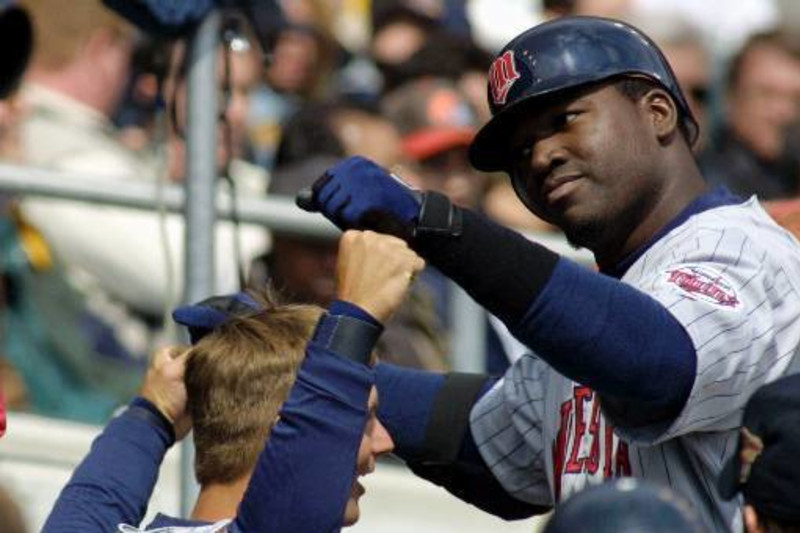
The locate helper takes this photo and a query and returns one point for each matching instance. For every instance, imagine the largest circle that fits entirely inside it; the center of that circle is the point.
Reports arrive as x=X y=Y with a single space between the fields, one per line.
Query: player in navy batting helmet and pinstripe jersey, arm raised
x=641 y=369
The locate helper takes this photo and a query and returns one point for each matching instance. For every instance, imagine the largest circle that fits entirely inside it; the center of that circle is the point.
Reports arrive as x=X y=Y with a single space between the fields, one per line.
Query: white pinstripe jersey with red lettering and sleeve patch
x=730 y=276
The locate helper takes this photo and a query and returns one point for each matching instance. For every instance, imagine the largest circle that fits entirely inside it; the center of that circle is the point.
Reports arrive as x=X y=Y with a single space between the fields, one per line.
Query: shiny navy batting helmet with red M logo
x=565 y=53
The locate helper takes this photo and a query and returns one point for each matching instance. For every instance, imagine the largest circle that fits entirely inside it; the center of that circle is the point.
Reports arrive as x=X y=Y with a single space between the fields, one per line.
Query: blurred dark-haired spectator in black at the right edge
x=758 y=149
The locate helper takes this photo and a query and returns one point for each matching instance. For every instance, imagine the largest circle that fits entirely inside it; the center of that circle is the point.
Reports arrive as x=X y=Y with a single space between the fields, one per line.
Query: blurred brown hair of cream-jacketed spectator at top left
x=61 y=28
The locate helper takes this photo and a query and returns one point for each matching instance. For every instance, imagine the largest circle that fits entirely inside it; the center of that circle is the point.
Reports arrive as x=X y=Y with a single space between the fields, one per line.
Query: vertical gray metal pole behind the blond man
x=201 y=164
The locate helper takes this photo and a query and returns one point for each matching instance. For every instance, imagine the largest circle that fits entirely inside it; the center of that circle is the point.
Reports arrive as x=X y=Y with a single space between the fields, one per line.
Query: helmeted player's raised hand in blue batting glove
x=358 y=194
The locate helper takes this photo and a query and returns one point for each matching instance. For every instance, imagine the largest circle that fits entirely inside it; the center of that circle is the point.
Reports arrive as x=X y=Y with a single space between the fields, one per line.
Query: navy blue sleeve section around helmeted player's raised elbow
x=609 y=336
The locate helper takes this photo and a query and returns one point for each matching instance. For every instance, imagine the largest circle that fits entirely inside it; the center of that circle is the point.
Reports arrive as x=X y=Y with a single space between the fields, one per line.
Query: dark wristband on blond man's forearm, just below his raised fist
x=347 y=336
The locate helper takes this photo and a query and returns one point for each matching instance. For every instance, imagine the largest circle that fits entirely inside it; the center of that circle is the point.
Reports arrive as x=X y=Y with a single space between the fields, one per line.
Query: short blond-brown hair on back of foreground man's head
x=237 y=378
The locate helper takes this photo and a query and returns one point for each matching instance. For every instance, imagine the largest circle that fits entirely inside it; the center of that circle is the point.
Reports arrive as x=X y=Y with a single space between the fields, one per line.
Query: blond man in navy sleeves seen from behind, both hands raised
x=248 y=356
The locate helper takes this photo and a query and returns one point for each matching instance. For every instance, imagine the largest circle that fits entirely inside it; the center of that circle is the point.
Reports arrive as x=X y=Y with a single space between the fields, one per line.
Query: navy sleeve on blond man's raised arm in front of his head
x=305 y=474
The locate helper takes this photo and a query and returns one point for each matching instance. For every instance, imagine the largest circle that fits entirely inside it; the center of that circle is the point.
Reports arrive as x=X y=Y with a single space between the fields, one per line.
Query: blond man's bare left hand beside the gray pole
x=164 y=387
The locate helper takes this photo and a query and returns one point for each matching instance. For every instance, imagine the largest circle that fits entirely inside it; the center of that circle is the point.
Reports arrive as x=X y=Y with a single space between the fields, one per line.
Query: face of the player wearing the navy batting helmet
x=584 y=164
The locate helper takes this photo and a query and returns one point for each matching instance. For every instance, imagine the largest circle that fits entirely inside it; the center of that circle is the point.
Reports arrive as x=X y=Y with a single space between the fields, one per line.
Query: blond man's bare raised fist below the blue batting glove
x=374 y=272
